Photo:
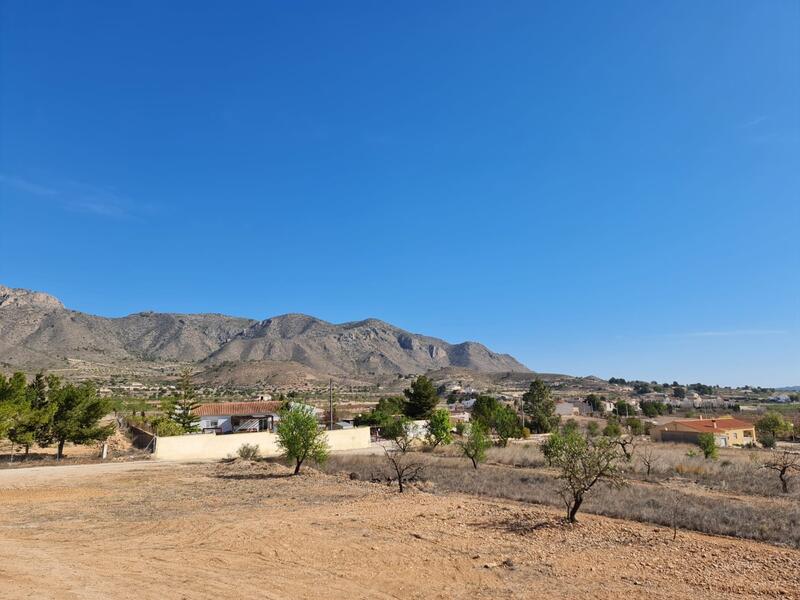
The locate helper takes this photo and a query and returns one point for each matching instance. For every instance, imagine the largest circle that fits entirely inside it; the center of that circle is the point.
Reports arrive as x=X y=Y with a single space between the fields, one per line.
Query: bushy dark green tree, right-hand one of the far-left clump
x=76 y=415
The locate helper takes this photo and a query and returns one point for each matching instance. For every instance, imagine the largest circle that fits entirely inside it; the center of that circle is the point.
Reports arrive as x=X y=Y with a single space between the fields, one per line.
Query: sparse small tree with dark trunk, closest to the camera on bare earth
x=582 y=463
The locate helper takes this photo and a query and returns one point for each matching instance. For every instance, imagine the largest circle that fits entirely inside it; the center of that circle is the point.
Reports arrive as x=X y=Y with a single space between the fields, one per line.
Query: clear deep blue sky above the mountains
x=608 y=188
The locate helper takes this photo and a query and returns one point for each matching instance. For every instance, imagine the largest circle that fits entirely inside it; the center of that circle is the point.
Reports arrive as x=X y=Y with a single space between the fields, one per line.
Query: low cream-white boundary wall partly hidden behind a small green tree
x=209 y=446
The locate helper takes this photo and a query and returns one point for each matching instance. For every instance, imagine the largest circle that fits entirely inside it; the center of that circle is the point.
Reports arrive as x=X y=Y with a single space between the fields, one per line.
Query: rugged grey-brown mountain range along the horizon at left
x=38 y=332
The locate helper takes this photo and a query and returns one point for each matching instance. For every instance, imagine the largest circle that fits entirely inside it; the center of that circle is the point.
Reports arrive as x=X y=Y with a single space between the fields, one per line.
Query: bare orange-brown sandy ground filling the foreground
x=242 y=530
